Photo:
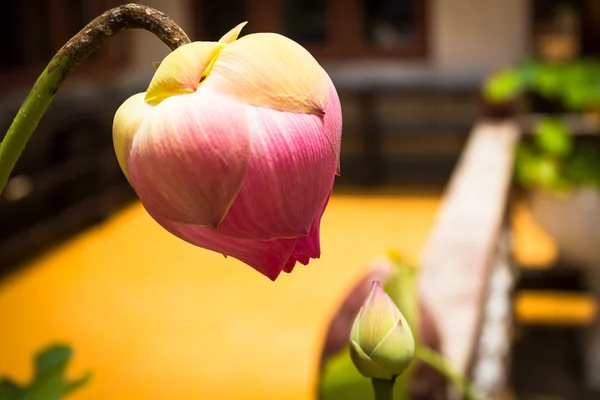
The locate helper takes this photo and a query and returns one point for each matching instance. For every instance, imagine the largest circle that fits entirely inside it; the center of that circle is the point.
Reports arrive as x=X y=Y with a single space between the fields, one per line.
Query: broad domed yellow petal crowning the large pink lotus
x=270 y=70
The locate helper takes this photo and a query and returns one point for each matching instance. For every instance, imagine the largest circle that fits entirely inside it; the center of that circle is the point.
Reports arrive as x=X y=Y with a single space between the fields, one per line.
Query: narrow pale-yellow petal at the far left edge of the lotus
x=126 y=123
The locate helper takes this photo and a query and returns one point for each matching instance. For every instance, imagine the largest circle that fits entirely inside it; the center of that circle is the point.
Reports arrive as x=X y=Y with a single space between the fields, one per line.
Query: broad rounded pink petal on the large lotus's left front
x=189 y=158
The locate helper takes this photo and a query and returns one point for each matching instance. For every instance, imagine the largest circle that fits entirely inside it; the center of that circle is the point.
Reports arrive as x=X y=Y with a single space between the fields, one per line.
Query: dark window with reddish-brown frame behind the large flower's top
x=329 y=29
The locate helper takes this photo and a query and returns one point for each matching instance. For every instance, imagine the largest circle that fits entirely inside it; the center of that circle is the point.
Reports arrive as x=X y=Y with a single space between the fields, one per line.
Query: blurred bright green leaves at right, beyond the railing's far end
x=553 y=160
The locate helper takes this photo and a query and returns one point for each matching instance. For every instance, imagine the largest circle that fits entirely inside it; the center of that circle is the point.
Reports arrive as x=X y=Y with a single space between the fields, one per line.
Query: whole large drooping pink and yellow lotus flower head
x=234 y=148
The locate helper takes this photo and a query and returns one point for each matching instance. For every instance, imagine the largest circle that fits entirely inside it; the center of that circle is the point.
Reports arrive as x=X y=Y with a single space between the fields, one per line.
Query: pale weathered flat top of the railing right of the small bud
x=463 y=247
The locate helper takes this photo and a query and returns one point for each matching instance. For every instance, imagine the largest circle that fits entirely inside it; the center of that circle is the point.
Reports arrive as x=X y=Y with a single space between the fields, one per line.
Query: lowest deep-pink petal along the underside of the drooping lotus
x=266 y=256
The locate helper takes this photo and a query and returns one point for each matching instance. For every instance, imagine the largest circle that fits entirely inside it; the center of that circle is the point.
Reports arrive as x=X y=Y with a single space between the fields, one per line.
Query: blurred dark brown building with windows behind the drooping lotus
x=408 y=73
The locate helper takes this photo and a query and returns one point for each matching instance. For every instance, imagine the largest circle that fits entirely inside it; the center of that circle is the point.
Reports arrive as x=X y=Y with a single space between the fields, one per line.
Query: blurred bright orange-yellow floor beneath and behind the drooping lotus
x=155 y=318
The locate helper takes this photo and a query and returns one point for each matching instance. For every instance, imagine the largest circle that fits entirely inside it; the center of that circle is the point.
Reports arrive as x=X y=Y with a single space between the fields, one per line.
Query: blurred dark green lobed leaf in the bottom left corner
x=49 y=382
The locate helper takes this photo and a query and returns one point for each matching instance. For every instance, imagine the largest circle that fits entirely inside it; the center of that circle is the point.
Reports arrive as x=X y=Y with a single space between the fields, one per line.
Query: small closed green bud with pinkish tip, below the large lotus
x=381 y=342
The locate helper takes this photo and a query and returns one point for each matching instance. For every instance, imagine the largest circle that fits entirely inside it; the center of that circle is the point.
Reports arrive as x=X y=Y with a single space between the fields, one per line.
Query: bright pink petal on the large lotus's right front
x=292 y=168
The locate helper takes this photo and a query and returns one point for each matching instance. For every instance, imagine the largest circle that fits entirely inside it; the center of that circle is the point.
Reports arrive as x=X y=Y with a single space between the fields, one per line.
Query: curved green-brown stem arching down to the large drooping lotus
x=78 y=48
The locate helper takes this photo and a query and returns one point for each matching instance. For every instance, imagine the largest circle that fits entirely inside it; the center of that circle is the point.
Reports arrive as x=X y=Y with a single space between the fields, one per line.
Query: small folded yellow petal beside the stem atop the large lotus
x=181 y=71
